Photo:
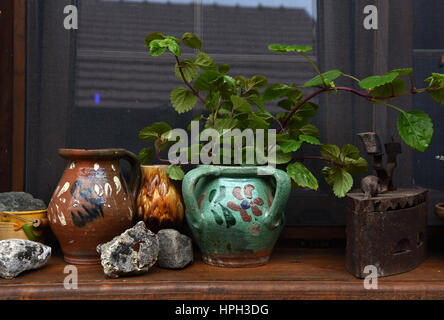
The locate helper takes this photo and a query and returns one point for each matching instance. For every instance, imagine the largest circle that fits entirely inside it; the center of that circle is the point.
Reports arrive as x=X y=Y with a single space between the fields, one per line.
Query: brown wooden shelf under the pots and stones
x=293 y=273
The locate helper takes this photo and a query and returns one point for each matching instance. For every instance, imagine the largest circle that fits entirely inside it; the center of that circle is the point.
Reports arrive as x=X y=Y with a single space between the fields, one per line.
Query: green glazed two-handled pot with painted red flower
x=236 y=213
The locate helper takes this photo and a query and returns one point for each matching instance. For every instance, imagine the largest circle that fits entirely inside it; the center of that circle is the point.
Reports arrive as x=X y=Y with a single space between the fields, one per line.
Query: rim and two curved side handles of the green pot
x=275 y=214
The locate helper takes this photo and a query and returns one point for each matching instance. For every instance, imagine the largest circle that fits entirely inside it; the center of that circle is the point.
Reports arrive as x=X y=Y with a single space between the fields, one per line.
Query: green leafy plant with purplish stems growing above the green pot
x=237 y=102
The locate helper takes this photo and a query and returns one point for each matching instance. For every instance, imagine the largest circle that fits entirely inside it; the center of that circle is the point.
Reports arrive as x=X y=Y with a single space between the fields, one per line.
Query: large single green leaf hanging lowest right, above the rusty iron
x=416 y=129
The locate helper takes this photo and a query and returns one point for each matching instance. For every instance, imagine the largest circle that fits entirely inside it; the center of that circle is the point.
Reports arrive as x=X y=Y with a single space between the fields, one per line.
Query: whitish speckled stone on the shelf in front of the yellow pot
x=17 y=256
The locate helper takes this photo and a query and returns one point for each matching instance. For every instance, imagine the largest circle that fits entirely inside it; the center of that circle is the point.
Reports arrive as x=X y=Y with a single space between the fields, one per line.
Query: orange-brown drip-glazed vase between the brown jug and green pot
x=159 y=202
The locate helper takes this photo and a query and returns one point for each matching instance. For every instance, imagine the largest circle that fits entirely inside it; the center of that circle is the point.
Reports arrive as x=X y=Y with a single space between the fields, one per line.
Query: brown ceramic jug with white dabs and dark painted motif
x=92 y=203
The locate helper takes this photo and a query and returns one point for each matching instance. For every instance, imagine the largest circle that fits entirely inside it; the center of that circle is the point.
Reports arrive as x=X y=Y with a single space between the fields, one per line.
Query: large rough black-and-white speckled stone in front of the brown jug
x=133 y=252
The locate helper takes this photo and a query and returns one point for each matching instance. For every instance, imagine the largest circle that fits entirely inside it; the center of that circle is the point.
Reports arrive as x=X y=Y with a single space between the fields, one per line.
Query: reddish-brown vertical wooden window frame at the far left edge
x=13 y=92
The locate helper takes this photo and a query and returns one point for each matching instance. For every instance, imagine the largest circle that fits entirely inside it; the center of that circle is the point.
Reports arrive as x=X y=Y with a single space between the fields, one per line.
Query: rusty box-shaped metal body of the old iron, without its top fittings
x=388 y=232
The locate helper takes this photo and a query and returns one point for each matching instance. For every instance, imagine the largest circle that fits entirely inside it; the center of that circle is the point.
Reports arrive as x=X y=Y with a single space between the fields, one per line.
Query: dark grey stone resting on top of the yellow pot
x=20 y=201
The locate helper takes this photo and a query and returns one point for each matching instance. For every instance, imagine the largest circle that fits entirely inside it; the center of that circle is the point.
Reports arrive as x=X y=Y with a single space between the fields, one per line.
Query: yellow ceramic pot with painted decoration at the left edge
x=26 y=225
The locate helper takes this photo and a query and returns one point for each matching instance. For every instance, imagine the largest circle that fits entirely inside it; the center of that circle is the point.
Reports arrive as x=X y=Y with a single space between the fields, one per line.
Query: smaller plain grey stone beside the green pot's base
x=176 y=250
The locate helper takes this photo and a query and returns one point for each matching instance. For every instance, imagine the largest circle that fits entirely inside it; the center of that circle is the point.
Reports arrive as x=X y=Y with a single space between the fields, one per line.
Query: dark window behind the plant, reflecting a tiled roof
x=97 y=87
